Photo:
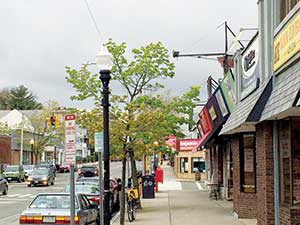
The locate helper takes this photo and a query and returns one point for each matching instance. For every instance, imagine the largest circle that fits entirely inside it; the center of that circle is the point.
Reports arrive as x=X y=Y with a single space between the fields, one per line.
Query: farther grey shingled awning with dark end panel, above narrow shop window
x=248 y=112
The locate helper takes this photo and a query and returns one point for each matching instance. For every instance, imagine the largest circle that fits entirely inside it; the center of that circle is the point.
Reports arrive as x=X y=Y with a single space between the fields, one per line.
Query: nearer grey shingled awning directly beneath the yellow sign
x=284 y=94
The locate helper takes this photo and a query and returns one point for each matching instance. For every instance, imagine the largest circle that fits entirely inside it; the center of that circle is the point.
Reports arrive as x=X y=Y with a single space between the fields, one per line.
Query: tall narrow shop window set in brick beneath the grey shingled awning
x=247 y=163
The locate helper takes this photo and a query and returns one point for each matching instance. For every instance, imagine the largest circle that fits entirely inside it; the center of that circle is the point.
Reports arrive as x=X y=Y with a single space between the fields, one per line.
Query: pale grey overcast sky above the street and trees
x=40 y=37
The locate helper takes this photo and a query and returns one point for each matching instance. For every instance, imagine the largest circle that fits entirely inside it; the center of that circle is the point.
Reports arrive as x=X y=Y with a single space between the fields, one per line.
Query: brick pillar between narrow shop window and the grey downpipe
x=265 y=174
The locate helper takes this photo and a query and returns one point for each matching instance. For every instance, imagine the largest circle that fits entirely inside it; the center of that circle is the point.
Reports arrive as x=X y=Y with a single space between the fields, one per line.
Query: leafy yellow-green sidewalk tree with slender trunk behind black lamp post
x=130 y=129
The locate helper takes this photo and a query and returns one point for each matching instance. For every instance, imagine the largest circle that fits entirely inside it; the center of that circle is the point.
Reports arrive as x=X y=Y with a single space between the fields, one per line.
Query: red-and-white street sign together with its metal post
x=70 y=152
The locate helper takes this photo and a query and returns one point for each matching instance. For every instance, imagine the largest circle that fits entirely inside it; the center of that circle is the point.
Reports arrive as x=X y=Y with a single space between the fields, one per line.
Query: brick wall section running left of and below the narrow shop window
x=244 y=204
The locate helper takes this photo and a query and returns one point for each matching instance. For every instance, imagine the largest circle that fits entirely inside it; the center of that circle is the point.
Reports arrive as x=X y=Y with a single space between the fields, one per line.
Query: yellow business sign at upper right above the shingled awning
x=287 y=42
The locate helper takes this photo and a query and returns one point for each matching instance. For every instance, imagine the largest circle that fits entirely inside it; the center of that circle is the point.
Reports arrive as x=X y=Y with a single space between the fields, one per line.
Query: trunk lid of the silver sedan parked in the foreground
x=47 y=212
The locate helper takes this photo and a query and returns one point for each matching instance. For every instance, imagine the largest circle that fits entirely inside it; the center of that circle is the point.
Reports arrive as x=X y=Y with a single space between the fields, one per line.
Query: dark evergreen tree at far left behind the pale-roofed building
x=18 y=98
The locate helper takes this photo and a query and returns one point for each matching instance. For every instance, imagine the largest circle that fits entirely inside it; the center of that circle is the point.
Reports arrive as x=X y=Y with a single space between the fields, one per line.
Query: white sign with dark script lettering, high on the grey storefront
x=250 y=68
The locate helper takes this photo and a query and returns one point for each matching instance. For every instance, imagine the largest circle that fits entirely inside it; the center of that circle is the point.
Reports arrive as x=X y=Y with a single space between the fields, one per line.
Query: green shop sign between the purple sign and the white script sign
x=228 y=89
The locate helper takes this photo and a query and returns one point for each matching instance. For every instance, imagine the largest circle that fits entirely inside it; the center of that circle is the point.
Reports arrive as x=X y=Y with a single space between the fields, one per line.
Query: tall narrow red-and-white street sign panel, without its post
x=70 y=138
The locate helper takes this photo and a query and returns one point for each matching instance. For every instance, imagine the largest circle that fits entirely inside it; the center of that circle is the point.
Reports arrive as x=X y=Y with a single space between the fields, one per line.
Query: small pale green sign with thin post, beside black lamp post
x=98 y=138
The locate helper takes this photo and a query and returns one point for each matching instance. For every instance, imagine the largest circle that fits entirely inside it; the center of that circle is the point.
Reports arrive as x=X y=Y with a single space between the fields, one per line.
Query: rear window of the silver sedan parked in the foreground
x=52 y=202
